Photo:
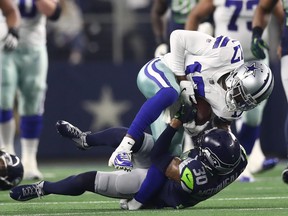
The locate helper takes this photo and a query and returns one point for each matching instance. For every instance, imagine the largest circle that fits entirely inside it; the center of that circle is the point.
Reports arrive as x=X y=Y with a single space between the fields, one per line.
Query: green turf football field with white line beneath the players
x=268 y=195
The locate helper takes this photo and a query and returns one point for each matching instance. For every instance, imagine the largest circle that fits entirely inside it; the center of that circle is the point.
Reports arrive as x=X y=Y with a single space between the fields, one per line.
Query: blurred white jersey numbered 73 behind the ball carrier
x=234 y=19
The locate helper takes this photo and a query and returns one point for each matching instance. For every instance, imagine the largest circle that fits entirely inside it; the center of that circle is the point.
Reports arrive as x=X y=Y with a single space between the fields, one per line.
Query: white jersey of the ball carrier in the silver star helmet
x=207 y=59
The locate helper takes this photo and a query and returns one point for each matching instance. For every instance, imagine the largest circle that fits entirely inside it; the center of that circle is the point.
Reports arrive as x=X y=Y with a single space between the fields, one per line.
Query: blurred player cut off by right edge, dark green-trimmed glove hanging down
x=258 y=46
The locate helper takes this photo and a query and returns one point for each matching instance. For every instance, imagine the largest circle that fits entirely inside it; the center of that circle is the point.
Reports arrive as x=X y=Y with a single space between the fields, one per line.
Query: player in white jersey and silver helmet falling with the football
x=210 y=65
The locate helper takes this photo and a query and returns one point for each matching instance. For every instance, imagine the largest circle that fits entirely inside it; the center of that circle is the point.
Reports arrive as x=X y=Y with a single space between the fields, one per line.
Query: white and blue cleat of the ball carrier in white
x=121 y=160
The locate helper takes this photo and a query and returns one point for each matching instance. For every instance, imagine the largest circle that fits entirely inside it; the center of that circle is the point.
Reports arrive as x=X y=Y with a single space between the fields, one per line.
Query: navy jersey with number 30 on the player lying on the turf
x=198 y=183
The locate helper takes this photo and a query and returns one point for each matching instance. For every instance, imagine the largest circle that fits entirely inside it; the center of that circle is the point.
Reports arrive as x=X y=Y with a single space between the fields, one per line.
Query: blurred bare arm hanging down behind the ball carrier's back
x=159 y=8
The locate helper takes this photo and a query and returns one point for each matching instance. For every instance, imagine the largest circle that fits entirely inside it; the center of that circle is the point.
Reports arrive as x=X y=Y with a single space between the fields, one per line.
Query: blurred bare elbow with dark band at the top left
x=50 y=8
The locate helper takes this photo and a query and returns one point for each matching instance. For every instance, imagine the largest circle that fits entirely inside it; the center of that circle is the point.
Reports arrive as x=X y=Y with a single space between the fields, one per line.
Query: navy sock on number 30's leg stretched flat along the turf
x=72 y=185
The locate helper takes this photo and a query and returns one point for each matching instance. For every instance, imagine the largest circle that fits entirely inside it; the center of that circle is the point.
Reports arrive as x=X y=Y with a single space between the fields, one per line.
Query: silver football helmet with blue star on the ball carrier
x=248 y=85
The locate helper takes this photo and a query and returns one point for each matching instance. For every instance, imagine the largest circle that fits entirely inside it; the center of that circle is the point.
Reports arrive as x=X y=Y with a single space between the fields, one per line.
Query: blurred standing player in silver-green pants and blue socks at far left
x=24 y=74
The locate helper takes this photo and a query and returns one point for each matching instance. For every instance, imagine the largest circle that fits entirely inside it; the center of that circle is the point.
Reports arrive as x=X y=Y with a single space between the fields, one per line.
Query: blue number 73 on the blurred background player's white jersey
x=238 y=7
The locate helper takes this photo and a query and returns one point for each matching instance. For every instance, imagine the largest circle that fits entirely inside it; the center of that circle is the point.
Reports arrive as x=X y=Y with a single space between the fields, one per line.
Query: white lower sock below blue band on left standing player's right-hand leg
x=29 y=148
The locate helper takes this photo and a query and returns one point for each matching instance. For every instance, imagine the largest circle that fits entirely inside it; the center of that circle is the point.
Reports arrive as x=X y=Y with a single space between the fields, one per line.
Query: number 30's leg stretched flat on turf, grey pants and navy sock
x=111 y=184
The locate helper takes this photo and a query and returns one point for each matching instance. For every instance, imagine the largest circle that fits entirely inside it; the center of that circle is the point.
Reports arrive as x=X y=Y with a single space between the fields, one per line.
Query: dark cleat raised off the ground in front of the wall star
x=68 y=130
